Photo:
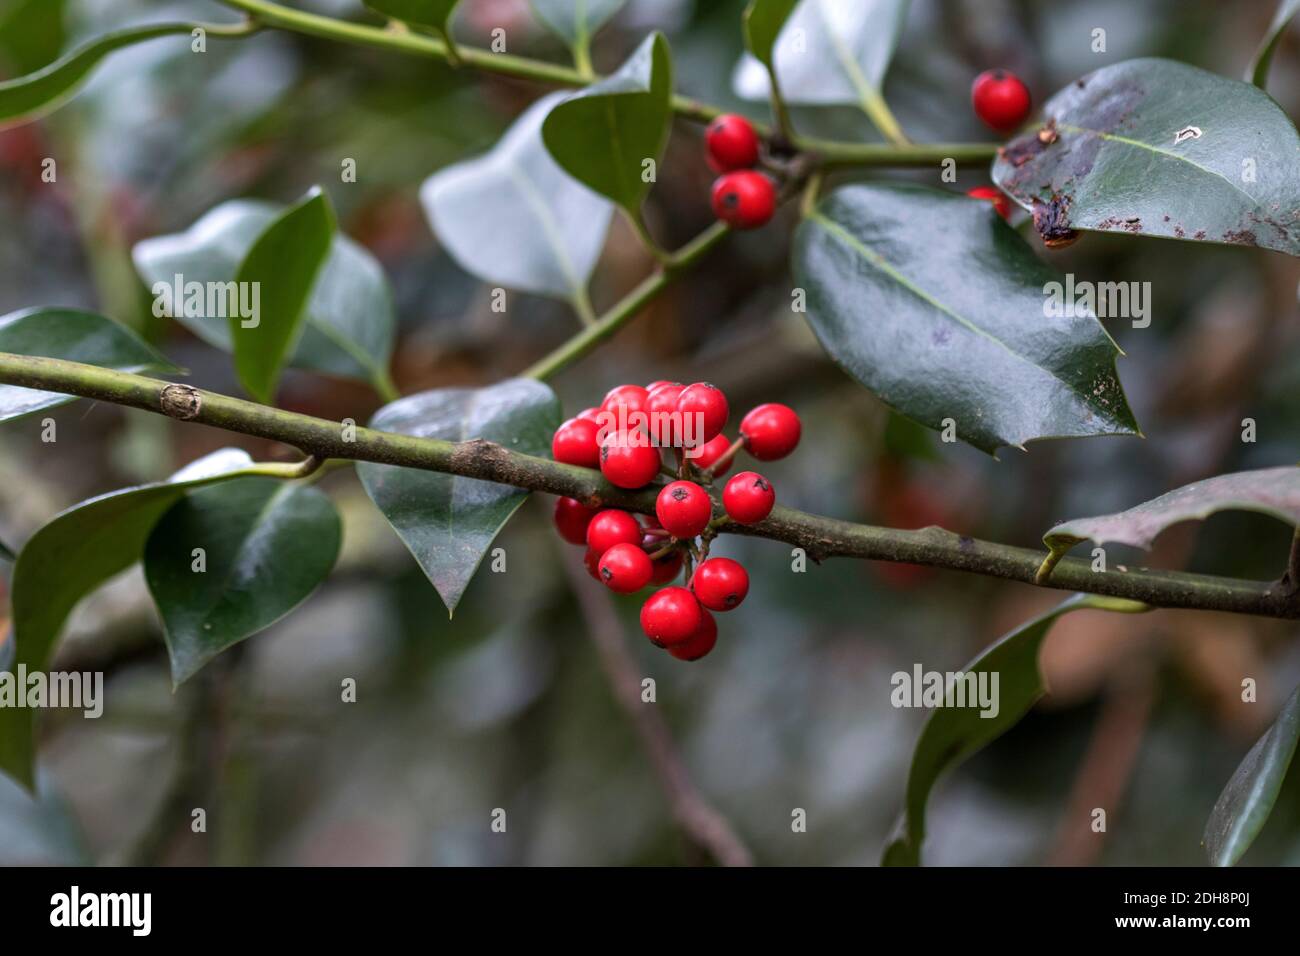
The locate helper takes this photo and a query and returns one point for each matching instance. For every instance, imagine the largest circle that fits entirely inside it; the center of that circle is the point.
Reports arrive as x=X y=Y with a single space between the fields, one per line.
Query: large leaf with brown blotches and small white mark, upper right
x=1155 y=148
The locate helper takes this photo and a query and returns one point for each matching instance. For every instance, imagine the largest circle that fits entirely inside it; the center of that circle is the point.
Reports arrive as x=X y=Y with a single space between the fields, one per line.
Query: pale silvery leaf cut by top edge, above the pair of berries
x=826 y=53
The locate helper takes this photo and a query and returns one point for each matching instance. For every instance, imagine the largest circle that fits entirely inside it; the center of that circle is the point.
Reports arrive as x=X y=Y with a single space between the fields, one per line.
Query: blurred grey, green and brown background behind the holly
x=508 y=706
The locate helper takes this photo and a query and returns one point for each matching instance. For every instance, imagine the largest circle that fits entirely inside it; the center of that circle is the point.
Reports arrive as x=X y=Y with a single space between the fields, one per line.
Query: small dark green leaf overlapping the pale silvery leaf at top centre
x=604 y=135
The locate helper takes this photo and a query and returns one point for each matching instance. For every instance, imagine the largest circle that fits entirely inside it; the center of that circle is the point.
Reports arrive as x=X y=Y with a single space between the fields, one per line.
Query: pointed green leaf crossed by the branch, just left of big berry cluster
x=449 y=522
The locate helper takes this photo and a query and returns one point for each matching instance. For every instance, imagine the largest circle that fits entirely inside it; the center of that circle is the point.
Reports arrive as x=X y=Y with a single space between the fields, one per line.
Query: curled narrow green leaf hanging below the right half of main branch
x=954 y=734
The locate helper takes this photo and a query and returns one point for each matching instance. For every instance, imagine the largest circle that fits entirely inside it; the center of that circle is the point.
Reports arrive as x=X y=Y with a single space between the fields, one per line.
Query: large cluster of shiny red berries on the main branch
x=626 y=439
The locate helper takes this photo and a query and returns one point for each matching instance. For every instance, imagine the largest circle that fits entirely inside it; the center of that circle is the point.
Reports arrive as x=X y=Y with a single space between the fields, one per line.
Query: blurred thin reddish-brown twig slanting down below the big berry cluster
x=703 y=825
